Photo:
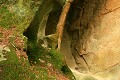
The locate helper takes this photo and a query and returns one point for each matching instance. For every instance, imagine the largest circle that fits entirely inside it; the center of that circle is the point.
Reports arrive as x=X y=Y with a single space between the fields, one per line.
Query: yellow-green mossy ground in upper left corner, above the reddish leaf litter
x=11 y=14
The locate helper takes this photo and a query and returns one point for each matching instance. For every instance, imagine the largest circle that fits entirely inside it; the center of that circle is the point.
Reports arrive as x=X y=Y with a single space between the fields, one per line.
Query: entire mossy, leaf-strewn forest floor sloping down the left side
x=14 y=63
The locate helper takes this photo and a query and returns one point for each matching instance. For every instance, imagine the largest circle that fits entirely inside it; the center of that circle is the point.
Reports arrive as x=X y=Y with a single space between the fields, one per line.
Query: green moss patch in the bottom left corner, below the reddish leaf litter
x=19 y=69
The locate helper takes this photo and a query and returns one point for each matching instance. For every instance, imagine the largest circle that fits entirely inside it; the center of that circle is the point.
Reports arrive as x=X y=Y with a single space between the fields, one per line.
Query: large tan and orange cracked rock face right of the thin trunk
x=95 y=39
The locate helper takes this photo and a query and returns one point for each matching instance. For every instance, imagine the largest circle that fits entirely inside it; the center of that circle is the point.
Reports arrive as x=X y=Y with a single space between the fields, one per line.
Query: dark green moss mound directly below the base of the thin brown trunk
x=53 y=56
